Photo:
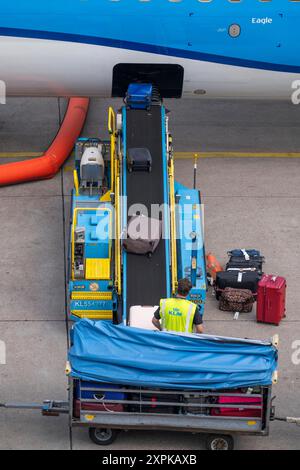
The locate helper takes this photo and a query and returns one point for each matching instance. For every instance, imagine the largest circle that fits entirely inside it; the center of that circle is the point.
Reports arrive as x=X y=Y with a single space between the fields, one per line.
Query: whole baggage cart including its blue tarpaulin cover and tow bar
x=139 y=403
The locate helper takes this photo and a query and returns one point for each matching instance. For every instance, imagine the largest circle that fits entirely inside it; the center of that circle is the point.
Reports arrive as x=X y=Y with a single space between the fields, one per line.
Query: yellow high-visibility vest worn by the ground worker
x=177 y=315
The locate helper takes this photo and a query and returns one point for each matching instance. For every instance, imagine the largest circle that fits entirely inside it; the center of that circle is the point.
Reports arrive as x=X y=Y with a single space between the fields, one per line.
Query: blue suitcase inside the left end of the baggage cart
x=96 y=391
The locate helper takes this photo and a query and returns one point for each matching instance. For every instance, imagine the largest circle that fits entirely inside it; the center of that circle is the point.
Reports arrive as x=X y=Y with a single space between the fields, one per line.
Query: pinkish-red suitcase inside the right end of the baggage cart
x=239 y=411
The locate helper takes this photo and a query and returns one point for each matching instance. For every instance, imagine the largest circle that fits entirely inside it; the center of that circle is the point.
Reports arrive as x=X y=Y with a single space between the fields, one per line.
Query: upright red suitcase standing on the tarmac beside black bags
x=271 y=295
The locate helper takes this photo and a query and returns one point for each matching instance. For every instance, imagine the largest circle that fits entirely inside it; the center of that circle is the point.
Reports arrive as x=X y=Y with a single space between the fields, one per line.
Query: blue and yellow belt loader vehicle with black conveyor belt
x=105 y=280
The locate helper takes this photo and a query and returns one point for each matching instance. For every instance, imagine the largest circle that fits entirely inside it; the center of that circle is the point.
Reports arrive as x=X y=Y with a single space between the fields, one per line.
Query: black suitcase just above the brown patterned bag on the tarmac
x=237 y=280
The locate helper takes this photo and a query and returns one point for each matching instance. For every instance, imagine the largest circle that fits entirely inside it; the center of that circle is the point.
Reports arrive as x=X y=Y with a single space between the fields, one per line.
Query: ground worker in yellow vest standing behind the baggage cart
x=179 y=314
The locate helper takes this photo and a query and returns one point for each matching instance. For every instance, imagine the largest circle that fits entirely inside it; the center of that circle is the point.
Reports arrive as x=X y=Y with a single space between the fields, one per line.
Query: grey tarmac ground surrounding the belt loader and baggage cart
x=248 y=202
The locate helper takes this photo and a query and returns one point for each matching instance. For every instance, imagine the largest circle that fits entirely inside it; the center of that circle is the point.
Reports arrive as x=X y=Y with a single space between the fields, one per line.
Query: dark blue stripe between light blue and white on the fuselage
x=148 y=48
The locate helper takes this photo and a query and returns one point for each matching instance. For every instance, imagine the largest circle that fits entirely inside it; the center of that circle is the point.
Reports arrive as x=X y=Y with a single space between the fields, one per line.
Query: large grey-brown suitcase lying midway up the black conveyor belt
x=143 y=235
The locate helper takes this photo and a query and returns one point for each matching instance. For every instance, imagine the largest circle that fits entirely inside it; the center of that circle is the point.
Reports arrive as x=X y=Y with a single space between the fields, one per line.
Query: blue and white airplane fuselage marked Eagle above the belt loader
x=226 y=49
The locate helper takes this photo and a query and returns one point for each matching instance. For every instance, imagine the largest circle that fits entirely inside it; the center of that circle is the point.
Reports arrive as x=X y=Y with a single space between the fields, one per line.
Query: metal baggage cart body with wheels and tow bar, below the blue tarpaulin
x=189 y=411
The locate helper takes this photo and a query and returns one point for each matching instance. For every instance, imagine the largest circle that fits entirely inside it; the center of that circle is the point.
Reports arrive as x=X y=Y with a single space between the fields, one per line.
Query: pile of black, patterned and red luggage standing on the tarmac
x=243 y=282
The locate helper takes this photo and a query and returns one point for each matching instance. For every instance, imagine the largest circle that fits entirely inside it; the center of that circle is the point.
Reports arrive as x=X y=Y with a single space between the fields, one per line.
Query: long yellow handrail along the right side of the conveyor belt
x=173 y=229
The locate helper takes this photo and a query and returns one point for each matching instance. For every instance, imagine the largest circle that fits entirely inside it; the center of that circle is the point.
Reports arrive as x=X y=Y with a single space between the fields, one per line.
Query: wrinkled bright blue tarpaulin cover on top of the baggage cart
x=122 y=355
